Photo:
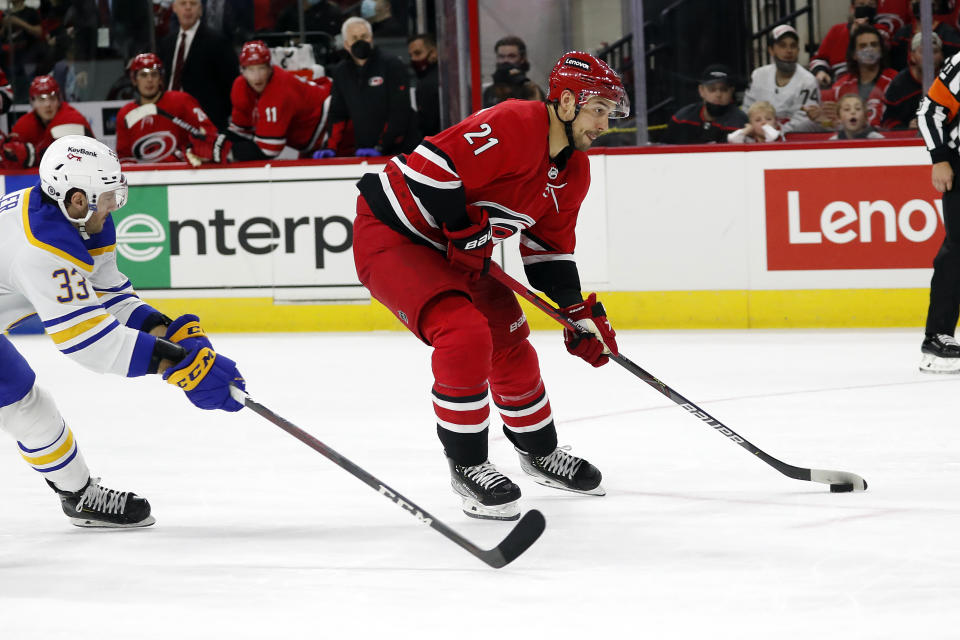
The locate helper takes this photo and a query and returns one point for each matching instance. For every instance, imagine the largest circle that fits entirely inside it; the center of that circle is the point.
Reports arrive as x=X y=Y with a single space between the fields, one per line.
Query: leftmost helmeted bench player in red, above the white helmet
x=51 y=118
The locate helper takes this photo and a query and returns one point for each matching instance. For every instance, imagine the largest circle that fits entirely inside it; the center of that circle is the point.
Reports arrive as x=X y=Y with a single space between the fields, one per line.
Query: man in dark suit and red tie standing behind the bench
x=201 y=62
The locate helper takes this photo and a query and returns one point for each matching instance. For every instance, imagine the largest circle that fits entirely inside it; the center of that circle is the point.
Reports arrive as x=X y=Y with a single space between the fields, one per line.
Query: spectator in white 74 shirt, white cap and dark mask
x=791 y=89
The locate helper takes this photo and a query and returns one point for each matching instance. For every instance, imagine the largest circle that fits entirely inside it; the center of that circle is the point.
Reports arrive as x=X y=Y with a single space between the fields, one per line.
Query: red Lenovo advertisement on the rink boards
x=852 y=218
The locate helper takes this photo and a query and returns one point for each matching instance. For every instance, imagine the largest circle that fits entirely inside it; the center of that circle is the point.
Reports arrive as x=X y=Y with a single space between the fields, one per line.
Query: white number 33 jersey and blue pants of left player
x=87 y=306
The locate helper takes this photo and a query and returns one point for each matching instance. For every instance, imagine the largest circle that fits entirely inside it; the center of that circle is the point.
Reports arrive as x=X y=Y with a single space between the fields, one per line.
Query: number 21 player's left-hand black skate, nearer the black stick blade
x=487 y=494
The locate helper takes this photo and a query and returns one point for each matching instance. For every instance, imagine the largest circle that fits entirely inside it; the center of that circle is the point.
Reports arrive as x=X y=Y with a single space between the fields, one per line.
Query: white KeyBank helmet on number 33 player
x=79 y=162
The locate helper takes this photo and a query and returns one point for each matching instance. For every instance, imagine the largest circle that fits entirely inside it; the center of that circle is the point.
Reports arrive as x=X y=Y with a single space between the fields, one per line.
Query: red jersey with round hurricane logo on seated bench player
x=161 y=131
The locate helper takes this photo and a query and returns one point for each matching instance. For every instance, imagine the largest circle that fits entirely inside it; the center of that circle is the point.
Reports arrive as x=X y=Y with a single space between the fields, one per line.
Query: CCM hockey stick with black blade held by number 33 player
x=523 y=534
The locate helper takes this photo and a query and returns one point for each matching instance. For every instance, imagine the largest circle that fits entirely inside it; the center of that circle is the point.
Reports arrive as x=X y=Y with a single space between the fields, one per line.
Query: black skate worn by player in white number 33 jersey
x=96 y=506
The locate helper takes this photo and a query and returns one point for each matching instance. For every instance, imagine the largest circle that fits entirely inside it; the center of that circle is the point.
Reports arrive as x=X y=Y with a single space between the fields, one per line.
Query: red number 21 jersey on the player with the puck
x=497 y=160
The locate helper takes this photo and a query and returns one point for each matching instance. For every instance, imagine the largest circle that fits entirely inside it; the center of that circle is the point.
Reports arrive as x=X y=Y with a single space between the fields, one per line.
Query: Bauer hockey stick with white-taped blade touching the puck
x=839 y=481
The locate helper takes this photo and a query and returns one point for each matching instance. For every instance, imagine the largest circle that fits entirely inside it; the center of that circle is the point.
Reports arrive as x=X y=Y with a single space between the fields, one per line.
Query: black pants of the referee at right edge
x=945 y=284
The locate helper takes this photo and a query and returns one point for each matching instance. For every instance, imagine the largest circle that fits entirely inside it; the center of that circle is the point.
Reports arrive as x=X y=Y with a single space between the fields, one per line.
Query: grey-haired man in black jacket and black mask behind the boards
x=371 y=91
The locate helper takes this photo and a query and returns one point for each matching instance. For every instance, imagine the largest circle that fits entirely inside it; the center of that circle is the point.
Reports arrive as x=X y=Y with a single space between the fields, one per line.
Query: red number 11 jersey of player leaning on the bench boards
x=291 y=111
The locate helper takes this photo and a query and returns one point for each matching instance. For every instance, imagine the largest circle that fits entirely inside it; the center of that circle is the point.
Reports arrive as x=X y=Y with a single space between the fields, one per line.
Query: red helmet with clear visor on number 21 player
x=587 y=76
